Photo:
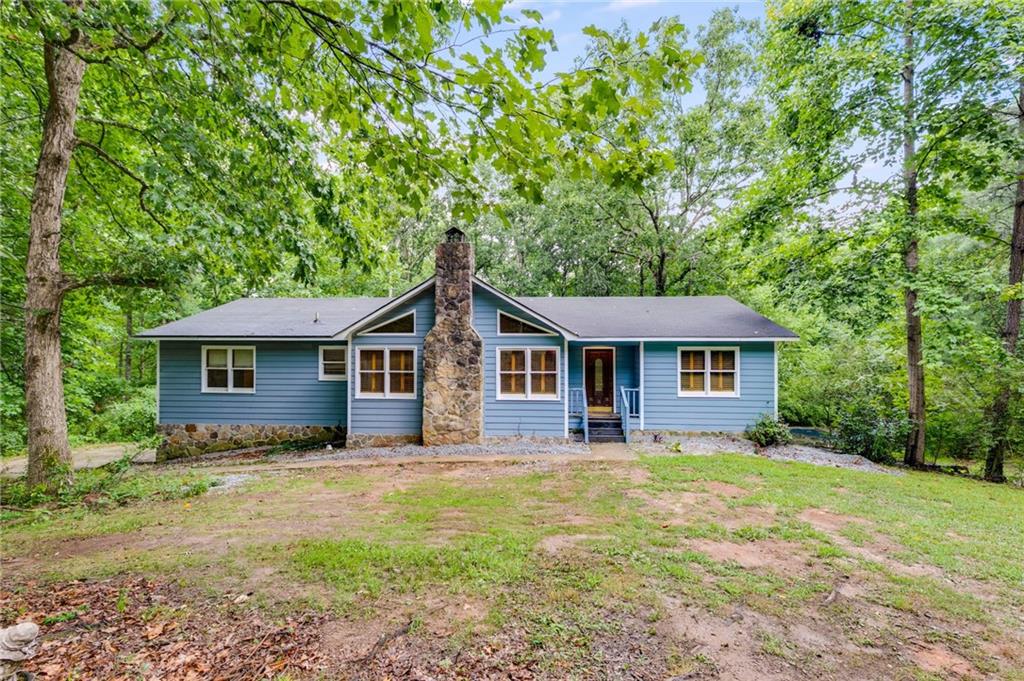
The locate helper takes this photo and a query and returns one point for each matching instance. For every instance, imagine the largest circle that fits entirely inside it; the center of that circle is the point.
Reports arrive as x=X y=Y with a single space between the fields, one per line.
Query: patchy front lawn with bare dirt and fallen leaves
x=722 y=567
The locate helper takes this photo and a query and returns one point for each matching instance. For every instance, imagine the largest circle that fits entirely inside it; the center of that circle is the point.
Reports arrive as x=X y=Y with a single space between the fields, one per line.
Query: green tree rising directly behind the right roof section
x=674 y=174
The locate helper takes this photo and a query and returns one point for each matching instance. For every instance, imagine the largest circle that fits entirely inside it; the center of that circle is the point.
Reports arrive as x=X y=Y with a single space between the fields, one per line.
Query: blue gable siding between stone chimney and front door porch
x=516 y=417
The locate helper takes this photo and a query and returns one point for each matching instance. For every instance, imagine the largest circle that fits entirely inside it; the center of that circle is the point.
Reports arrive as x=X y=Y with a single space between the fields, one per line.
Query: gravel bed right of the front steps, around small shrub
x=708 y=445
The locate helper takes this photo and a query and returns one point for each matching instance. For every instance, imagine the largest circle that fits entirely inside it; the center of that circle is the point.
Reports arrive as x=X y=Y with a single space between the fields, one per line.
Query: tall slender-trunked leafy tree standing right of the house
x=887 y=86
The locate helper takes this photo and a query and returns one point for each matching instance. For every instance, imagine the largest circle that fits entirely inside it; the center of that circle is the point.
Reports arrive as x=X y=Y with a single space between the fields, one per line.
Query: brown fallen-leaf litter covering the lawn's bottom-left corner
x=131 y=628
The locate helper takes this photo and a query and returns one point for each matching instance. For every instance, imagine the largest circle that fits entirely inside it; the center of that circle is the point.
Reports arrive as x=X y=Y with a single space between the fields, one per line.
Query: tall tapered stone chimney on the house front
x=453 y=352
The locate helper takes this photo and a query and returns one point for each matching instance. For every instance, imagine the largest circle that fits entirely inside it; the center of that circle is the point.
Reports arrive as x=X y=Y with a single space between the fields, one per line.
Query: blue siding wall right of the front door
x=665 y=410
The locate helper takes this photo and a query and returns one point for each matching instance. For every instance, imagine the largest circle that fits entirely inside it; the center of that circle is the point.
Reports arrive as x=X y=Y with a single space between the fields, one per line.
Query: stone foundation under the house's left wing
x=190 y=440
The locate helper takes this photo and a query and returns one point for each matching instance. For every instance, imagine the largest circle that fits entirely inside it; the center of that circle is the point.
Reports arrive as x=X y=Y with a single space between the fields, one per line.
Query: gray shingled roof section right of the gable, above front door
x=690 y=317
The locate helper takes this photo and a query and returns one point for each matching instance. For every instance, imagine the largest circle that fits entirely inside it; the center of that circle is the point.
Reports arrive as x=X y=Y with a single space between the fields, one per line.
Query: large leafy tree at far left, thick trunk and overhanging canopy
x=231 y=138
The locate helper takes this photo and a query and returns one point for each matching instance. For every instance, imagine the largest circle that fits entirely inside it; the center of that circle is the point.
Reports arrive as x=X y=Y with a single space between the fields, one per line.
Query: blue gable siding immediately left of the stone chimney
x=395 y=417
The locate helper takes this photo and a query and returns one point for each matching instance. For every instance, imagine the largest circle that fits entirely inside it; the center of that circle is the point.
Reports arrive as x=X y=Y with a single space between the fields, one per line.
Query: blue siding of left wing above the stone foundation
x=288 y=388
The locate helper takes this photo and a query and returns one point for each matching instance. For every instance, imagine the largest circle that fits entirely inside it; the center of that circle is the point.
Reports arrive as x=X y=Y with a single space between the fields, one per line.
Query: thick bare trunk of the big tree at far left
x=50 y=453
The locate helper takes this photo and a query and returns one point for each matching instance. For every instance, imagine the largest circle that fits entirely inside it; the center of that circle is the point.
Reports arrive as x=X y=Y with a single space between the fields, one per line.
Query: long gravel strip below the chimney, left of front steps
x=518 y=449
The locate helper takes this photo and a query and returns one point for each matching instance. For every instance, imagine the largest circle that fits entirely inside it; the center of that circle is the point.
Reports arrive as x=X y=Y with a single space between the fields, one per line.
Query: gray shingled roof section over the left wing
x=272 y=318
